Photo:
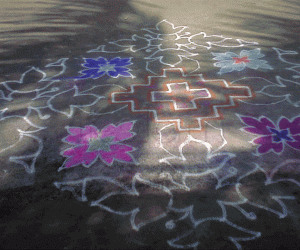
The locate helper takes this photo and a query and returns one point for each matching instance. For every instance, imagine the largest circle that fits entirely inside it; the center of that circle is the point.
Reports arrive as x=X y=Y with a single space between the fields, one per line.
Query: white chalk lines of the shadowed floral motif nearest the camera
x=187 y=211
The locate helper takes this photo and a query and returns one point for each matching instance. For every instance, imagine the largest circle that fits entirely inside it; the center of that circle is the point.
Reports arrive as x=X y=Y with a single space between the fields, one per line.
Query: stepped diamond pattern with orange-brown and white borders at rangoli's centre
x=185 y=100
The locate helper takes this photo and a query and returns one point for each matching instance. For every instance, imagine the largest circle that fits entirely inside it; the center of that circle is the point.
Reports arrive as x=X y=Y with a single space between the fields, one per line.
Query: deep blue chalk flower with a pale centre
x=101 y=66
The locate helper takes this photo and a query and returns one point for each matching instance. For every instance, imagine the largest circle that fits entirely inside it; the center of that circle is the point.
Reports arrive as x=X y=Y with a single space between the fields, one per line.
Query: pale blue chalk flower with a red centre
x=230 y=61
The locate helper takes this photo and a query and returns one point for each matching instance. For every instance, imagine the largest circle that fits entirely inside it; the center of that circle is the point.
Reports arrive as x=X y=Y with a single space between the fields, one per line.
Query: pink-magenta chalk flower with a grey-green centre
x=90 y=143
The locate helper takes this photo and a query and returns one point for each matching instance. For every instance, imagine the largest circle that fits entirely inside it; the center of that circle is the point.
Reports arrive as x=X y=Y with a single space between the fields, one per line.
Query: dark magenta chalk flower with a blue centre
x=274 y=137
